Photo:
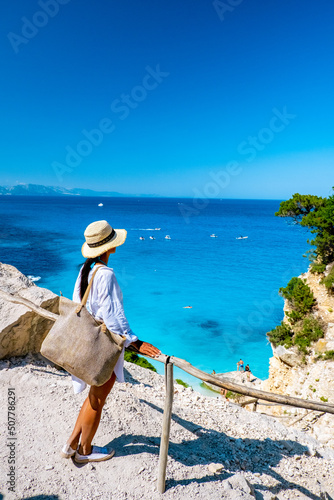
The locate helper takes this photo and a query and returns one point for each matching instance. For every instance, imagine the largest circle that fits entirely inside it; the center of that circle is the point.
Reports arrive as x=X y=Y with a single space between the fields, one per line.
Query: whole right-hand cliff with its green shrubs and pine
x=303 y=344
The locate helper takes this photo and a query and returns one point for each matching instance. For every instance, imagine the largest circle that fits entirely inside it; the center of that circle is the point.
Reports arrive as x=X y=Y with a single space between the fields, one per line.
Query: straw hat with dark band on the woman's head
x=100 y=237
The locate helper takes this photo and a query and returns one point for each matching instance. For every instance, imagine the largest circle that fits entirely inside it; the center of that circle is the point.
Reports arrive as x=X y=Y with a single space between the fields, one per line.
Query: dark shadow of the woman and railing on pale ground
x=237 y=455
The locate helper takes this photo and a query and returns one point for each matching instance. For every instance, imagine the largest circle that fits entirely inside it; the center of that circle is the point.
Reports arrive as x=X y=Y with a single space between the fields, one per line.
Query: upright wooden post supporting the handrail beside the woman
x=164 y=443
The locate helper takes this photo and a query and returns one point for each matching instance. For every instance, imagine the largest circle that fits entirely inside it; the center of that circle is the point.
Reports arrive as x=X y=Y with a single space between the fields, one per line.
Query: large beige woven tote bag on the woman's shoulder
x=81 y=345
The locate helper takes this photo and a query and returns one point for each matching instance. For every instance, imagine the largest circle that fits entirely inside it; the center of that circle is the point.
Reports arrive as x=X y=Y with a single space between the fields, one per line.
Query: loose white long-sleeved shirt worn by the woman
x=105 y=303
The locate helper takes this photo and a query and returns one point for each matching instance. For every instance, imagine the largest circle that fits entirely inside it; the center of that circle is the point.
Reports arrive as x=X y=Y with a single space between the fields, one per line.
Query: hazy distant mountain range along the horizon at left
x=38 y=190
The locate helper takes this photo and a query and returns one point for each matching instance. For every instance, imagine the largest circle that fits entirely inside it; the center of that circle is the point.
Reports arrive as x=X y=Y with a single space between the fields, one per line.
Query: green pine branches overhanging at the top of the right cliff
x=317 y=214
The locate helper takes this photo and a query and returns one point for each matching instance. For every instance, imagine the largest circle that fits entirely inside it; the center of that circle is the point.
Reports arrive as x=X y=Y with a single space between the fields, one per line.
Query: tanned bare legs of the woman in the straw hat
x=89 y=417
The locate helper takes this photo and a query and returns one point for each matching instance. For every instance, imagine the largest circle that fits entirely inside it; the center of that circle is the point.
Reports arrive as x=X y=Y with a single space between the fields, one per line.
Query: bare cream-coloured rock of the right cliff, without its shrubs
x=307 y=377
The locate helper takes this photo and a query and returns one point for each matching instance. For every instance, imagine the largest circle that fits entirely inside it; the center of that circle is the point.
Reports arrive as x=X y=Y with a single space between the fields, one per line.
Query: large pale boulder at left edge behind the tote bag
x=22 y=330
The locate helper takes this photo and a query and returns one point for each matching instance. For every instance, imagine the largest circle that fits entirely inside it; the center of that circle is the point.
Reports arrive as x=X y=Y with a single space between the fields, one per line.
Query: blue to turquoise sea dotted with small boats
x=232 y=285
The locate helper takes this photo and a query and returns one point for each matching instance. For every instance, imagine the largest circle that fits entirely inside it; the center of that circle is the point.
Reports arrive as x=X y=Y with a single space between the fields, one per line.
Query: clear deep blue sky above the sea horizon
x=231 y=99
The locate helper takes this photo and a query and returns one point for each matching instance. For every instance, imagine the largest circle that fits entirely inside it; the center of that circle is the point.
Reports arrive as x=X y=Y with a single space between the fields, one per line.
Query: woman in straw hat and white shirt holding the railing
x=105 y=303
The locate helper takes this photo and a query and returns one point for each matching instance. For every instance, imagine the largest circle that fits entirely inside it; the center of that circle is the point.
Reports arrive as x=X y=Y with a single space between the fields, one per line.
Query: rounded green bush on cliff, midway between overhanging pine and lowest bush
x=300 y=298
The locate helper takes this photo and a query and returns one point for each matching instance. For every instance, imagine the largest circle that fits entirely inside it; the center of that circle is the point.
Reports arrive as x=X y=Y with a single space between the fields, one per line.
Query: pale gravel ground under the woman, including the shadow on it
x=217 y=449
